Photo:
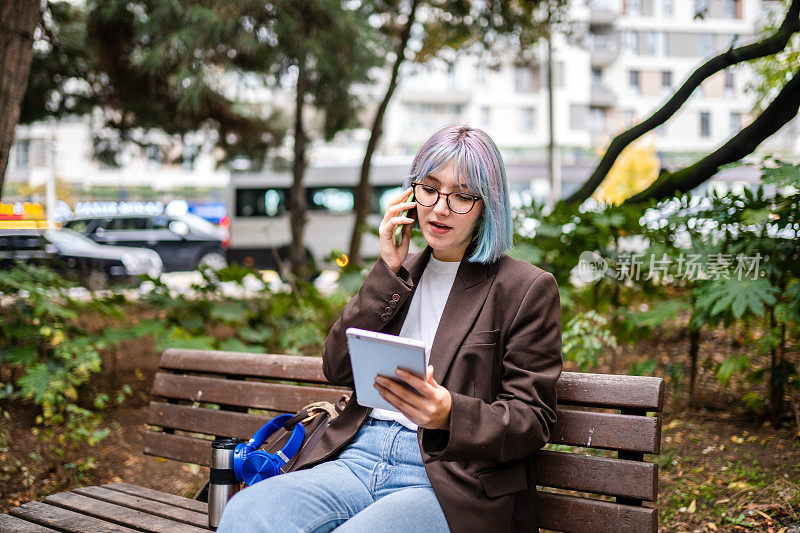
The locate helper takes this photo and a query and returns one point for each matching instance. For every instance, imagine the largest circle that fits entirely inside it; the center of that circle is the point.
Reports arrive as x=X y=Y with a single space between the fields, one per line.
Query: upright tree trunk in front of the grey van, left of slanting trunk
x=297 y=193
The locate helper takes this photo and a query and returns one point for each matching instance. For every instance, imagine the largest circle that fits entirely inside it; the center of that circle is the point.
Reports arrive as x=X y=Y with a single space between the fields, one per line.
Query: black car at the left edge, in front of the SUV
x=78 y=258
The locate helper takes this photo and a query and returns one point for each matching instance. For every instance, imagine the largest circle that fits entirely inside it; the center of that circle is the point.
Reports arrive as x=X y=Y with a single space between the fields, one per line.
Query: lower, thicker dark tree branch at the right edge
x=779 y=112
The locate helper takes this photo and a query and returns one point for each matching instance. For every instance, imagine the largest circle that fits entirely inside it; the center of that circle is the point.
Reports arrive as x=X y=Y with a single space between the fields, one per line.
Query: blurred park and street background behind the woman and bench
x=211 y=175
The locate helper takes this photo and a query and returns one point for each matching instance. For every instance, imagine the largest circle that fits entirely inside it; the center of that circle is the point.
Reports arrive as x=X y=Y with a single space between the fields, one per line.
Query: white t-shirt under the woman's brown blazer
x=423 y=317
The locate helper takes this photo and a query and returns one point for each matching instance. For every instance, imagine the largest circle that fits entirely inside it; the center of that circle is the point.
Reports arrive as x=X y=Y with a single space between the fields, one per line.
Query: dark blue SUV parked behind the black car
x=183 y=242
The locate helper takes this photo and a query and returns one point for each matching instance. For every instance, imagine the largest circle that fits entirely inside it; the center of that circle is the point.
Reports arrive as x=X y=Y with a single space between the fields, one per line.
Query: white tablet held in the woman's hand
x=378 y=354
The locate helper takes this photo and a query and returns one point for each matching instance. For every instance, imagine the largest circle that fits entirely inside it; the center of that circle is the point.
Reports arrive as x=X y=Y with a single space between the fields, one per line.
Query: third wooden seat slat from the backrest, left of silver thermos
x=118 y=514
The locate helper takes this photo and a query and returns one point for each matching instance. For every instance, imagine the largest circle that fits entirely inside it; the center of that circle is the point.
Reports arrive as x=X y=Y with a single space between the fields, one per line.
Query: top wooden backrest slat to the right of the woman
x=610 y=390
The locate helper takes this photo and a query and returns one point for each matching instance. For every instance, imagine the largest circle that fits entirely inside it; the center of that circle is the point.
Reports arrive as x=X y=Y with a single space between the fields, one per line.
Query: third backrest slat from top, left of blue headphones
x=201 y=420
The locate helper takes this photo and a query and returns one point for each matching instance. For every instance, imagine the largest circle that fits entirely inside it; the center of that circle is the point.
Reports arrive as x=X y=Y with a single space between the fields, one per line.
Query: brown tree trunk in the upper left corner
x=18 y=19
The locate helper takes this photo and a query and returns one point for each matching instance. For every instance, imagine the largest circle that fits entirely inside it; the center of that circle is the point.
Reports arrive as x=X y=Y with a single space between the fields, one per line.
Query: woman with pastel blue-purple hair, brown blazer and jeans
x=458 y=456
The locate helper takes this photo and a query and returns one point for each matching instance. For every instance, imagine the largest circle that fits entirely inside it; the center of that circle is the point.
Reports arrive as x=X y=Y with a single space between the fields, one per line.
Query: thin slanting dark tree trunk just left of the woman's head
x=363 y=193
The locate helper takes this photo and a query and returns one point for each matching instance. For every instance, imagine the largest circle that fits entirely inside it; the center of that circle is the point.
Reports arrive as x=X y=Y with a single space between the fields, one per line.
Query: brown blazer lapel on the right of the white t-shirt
x=466 y=299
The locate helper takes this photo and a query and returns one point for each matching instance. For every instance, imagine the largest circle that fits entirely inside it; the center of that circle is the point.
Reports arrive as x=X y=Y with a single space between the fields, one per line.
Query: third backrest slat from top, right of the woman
x=600 y=475
